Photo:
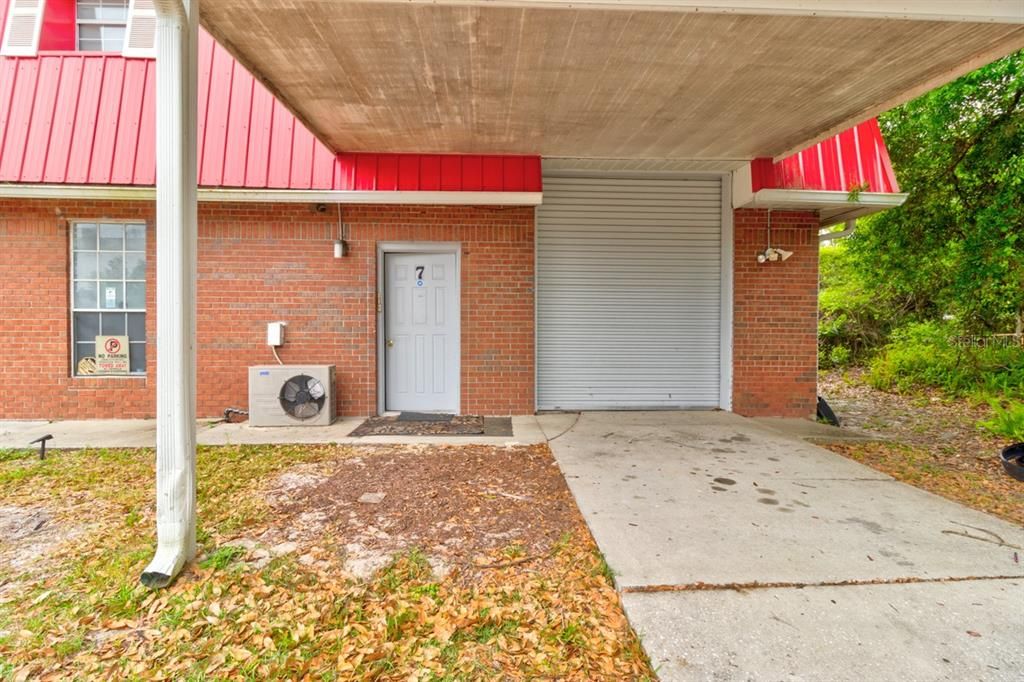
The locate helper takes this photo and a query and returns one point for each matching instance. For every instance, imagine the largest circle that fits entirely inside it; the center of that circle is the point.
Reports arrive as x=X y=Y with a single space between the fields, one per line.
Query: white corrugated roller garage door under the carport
x=629 y=293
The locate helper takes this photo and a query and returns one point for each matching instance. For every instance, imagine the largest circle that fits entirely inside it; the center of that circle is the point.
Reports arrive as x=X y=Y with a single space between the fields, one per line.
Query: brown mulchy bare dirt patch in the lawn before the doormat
x=459 y=505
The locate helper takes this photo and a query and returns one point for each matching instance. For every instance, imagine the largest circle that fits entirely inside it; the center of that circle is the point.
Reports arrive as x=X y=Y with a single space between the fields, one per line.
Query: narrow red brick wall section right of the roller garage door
x=776 y=314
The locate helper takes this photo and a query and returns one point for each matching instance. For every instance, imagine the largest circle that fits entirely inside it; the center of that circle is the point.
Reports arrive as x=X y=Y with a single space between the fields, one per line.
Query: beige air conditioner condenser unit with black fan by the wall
x=291 y=396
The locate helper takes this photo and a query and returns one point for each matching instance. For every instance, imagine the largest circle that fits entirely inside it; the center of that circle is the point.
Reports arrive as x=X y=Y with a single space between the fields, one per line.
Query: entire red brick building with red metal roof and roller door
x=489 y=284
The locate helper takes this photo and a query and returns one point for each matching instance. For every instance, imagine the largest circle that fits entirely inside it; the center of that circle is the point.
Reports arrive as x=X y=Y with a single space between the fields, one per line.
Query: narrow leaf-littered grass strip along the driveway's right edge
x=990 y=492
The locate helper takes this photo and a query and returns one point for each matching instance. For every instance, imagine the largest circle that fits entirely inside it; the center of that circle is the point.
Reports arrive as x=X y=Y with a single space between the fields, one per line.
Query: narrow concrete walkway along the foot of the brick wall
x=143 y=434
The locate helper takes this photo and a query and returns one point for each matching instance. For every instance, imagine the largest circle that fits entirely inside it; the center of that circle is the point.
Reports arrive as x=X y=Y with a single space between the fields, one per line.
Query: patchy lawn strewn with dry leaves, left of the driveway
x=82 y=614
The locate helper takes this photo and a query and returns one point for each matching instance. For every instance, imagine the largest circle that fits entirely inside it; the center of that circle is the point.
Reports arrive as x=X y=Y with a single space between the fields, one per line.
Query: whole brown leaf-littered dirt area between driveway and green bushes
x=930 y=441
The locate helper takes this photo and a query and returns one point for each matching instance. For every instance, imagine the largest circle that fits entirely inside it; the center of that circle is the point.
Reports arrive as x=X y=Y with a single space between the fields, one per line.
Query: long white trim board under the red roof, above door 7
x=123 y=193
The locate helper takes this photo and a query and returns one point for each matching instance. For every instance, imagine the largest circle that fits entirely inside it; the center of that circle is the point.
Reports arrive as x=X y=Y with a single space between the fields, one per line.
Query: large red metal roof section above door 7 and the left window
x=90 y=119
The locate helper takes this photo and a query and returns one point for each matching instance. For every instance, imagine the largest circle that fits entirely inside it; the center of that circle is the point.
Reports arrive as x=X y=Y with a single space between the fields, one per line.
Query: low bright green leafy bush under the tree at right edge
x=920 y=356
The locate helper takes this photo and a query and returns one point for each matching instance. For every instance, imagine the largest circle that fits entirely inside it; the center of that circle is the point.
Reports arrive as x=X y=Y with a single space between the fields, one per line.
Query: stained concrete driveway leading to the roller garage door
x=743 y=553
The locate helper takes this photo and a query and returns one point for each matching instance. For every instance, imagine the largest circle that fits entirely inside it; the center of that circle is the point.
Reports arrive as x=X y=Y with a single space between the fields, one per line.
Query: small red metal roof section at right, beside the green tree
x=856 y=158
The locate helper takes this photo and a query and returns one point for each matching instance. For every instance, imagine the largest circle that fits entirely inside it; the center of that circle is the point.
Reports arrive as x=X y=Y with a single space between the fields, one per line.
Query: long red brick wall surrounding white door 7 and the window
x=259 y=264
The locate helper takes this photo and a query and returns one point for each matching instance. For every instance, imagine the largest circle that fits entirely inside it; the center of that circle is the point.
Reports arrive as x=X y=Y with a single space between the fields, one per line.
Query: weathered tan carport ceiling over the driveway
x=723 y=80
